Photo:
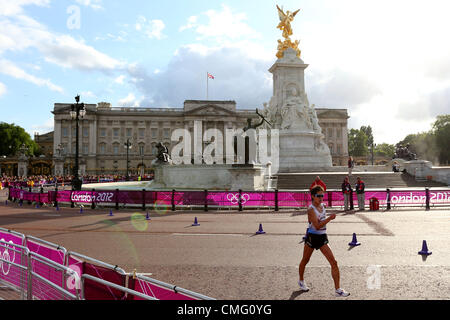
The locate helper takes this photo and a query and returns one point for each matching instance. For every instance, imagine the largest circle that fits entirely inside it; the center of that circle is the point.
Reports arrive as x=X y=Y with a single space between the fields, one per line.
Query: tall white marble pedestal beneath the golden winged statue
x=301 y=142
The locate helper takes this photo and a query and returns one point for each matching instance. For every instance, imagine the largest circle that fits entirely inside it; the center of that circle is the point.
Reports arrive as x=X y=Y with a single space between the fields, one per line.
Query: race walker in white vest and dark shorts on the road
x=316 y=238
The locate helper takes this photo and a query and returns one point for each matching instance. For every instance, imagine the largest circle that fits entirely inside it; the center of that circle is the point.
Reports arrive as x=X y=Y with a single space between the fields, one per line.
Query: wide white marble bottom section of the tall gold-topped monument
x=300 y=150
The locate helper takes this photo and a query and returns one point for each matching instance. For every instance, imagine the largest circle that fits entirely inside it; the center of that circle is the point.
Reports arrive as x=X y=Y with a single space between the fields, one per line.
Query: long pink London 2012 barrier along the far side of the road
x=228 y=199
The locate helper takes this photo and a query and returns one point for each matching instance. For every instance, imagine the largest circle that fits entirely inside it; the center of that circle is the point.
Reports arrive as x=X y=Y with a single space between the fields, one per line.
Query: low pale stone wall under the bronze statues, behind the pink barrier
x=249 y=177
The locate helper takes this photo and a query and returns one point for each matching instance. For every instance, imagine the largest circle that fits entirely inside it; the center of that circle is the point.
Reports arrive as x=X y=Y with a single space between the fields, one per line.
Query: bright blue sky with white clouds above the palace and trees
x=387 y=63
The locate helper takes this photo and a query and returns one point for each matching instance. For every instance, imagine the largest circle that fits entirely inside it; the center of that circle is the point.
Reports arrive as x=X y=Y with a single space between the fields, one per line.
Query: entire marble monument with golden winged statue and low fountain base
x=296 y=139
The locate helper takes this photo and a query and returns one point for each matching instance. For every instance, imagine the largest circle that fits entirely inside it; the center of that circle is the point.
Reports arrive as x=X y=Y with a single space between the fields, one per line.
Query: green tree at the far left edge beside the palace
x=11 y=139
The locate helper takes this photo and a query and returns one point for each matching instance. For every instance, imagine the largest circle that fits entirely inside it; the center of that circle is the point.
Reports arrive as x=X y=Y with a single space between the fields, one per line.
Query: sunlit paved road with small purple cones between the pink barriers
x=224 y=259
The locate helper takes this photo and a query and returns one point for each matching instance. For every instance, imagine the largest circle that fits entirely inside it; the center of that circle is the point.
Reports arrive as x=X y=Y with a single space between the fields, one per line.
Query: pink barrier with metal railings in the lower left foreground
x=34 y=269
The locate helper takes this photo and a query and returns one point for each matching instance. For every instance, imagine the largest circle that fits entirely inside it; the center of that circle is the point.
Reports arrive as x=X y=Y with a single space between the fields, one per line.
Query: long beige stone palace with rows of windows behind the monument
x=105 y=130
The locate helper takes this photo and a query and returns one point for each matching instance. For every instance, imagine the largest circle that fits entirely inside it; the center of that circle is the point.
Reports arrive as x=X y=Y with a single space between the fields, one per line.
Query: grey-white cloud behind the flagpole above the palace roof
x=238 y=77
